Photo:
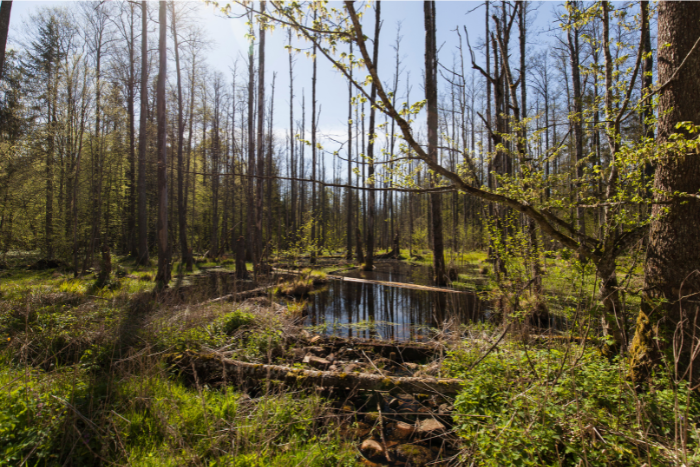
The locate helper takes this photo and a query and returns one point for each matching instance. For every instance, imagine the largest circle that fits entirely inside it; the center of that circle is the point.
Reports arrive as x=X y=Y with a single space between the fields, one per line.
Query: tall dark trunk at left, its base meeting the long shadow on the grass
x=163 y=274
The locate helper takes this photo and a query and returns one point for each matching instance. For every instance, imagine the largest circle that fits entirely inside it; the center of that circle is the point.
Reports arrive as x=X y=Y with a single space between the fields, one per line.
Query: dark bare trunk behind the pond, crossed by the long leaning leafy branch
x=431 y=96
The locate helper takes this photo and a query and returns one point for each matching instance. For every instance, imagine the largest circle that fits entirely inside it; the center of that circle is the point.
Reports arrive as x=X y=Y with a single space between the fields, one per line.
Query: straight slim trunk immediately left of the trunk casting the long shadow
x=142 y=215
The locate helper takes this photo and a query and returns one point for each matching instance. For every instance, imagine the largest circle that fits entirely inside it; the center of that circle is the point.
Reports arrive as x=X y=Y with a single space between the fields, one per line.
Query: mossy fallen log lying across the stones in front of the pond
x=336 y=379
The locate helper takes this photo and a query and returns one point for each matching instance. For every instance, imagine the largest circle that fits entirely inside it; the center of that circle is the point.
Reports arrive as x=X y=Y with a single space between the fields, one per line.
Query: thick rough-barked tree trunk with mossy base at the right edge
x=671 y=278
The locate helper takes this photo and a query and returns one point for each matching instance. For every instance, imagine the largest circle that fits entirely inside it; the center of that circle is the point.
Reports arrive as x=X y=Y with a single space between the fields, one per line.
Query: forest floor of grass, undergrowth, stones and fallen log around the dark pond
x=119 y=374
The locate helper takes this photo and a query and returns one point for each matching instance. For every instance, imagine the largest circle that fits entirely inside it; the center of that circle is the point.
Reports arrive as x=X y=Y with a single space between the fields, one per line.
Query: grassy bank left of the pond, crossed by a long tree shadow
x=86 y=381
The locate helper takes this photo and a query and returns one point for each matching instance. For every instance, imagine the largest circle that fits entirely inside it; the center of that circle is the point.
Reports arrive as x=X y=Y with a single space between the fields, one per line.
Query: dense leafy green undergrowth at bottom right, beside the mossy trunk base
x=559 y=407
